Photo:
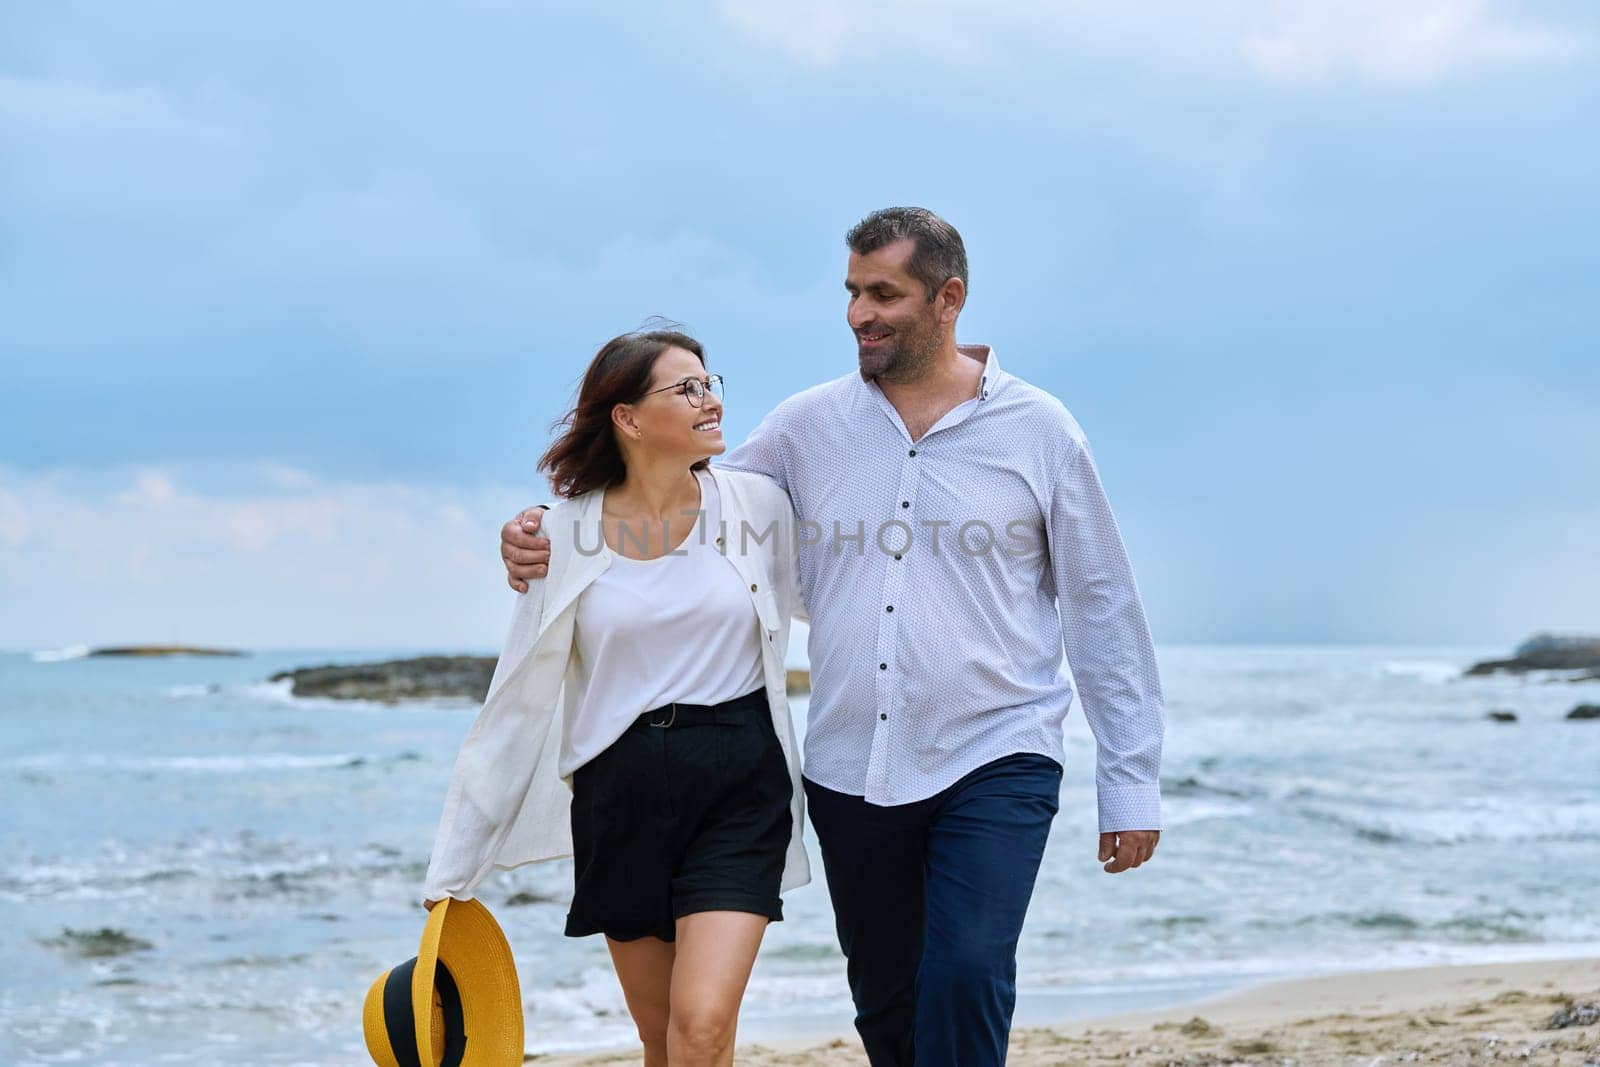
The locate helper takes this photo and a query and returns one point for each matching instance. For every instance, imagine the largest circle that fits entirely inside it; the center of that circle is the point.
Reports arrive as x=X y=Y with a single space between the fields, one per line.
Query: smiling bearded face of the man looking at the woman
x=895 y=324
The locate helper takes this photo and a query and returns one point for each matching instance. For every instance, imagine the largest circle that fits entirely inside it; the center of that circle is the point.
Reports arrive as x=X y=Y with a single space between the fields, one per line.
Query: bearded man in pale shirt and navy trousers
x=954 y=538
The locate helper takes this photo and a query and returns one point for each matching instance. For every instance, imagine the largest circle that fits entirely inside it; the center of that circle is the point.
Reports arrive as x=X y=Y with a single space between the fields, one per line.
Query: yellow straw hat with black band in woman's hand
x=455 y=1004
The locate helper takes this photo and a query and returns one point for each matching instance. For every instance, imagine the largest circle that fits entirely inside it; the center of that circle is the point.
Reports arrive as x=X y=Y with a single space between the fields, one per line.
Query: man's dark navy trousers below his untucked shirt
x=929 y=900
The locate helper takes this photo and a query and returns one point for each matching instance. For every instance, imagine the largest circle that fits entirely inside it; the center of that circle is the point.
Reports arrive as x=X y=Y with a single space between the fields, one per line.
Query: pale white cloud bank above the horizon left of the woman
x=145 y=554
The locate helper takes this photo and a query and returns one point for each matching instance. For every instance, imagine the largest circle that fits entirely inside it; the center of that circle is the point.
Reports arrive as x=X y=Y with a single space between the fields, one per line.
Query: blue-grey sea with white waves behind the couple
x=199 y=868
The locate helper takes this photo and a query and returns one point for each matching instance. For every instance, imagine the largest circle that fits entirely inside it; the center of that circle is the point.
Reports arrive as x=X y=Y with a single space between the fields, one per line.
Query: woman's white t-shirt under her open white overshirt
x=650 y=633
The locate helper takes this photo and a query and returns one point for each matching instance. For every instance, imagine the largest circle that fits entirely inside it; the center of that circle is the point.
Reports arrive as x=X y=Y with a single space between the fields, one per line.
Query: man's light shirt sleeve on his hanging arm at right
x=1110 y=647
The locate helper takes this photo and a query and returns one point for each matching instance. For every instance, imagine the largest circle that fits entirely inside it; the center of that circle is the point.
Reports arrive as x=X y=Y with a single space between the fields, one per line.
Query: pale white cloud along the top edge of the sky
x=1281 y=41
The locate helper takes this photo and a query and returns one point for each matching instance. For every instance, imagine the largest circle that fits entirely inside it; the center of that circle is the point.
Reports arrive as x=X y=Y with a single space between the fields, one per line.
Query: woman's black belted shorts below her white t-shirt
x=686 y=818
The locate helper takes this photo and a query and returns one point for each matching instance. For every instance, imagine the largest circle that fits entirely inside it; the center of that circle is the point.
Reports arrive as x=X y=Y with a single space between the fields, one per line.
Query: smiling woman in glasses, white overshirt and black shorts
x=668 y=767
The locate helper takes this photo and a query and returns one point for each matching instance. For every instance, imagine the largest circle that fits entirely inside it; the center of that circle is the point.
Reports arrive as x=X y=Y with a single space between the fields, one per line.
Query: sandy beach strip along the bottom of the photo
x=1447 y=1015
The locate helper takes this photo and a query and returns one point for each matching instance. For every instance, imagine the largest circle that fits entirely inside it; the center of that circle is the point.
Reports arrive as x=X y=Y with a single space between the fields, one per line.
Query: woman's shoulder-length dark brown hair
x=586 y=455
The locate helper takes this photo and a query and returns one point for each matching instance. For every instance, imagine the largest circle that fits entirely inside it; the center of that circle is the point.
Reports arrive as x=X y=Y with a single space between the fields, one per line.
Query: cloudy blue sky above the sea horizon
x=290 y=295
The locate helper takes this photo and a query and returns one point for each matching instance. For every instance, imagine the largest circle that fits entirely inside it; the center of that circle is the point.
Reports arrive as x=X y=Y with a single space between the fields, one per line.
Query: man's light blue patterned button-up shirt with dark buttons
x=946 y=577
